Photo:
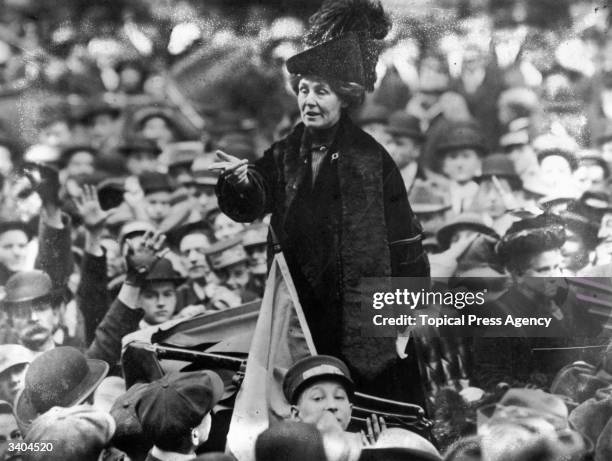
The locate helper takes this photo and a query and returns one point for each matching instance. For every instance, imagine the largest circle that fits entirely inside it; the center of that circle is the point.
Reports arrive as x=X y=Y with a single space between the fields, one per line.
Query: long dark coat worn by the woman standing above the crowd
x=354 y=221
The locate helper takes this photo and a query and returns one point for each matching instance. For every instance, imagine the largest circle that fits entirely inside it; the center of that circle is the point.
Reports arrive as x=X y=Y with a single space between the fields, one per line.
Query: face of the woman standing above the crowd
x=320 y=107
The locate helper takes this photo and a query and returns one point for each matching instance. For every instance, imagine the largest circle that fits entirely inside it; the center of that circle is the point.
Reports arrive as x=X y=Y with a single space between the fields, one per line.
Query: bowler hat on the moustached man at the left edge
x=27 y=287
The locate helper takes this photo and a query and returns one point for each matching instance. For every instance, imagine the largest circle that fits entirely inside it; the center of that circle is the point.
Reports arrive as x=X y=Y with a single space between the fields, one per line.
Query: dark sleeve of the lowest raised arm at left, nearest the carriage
x=119 y=321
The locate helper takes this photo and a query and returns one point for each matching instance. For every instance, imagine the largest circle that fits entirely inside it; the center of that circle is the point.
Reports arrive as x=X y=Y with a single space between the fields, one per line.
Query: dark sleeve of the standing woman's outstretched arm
x=253 y=201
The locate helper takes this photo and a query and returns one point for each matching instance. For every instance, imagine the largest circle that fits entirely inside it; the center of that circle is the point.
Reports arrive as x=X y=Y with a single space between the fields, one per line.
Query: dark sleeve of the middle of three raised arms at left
x=92 y=295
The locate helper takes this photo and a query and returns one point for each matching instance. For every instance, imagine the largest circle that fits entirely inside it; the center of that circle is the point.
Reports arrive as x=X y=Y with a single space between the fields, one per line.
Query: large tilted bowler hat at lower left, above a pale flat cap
x=60 y=377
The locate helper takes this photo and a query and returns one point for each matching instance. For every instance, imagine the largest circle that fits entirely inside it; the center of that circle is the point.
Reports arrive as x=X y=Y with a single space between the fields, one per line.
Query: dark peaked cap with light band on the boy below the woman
x=315 y=368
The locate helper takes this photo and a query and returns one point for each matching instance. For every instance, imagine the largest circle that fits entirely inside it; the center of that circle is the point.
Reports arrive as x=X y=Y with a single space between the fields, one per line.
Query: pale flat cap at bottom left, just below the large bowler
x=78 y=433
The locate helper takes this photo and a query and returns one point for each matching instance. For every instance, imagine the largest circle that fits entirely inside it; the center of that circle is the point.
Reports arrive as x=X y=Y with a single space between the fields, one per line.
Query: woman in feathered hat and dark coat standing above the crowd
x=339 y=207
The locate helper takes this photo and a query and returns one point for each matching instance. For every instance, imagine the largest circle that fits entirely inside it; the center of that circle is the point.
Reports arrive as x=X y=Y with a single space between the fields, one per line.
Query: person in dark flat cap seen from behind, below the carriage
x=175 y=413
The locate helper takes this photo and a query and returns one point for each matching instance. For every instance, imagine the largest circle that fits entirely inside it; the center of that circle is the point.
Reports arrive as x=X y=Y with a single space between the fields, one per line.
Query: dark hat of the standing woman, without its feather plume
x=337 y=59
